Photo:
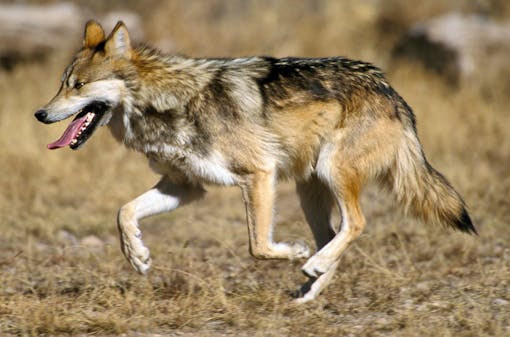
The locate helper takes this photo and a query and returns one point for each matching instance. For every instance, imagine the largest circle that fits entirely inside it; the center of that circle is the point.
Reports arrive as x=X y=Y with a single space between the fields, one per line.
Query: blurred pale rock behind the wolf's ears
x=31 y=33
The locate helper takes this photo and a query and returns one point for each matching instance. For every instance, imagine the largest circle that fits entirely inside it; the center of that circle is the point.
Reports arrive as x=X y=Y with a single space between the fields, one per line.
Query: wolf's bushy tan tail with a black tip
x=422 y=190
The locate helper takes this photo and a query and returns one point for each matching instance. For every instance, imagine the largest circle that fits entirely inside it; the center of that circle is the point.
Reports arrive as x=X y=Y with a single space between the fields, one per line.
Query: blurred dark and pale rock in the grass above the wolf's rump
x=454 y=45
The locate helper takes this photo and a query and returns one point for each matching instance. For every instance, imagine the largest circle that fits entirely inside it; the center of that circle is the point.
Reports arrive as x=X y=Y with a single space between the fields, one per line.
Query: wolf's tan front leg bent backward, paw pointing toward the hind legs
x=258 y=195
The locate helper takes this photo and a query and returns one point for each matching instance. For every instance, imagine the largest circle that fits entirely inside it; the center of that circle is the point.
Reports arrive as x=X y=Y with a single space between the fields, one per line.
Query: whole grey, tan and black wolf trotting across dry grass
x=331 y=124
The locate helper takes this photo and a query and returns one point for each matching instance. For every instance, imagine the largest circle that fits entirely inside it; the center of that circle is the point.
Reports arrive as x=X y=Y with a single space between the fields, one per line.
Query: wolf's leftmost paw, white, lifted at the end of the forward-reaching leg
x=135 y=251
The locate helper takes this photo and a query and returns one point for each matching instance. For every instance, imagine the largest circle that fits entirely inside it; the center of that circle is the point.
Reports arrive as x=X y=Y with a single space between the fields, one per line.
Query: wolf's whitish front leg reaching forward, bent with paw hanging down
x=164 y=197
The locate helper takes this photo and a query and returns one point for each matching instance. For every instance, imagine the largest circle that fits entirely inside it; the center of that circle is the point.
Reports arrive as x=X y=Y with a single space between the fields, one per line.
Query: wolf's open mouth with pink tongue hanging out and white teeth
x=81 y=128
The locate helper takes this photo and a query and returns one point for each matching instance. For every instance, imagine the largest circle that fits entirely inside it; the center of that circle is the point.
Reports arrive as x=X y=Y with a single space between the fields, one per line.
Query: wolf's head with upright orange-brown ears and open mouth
x=91 y=88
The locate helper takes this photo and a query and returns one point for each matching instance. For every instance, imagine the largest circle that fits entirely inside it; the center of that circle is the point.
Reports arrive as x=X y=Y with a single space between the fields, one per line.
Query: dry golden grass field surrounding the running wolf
x=61 y=269
